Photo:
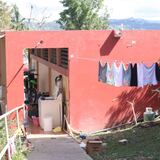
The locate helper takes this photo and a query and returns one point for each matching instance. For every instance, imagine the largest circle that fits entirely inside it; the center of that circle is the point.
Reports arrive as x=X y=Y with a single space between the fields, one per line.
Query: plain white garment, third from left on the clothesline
x=118 y=72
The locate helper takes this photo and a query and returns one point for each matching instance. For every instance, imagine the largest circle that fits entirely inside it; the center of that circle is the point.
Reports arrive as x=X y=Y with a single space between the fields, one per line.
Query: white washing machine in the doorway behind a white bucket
x=50 y=107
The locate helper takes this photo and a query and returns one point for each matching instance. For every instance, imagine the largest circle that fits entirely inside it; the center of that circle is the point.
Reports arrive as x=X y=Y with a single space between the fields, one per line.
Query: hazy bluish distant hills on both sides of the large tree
x=130 y=23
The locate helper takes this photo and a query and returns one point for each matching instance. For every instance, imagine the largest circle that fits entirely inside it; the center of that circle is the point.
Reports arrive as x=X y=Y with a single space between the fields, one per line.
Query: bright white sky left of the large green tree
x=41 y=8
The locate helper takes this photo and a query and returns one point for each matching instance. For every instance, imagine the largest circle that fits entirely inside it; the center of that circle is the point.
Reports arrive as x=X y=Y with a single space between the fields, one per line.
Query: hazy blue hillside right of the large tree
x=132 y=23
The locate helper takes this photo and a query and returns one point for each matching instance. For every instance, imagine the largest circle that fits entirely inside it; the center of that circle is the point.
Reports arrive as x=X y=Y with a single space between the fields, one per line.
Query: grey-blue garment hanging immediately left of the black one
x=127 y=75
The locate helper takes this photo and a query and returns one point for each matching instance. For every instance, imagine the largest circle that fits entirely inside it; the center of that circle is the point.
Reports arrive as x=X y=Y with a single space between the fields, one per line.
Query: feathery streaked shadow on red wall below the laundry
x=121 y=111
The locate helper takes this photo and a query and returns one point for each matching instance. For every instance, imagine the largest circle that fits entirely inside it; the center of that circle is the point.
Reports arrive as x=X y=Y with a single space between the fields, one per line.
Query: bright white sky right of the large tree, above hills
x=147 y=9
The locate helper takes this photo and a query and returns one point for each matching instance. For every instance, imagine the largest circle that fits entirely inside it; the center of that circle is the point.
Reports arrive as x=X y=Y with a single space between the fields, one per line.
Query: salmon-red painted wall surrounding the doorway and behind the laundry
x=93 y=105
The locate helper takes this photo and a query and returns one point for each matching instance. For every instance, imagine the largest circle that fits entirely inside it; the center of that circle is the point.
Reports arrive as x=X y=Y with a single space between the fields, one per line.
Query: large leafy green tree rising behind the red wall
x=82 y=14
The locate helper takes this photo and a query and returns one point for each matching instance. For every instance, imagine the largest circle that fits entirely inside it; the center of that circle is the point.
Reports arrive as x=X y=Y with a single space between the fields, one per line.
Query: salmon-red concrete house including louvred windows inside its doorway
x=91 y=105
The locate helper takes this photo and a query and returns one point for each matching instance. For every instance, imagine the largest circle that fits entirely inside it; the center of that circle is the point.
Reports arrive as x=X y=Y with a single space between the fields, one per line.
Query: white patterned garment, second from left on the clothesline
x=109 y=74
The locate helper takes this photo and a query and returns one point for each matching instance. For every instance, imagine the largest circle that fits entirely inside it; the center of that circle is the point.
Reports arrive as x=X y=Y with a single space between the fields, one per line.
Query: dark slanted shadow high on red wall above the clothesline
x=109 y=44
